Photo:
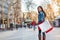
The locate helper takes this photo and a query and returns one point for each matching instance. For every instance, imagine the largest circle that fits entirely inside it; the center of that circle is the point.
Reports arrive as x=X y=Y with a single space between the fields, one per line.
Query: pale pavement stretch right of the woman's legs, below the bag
x=54 y=35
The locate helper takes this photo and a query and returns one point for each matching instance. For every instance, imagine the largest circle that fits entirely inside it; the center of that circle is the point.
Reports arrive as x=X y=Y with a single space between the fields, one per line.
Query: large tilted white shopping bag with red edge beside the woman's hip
x=46 y=26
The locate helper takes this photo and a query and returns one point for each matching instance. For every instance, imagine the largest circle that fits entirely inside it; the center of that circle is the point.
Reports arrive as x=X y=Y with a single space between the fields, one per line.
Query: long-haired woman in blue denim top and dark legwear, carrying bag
x=41 y=18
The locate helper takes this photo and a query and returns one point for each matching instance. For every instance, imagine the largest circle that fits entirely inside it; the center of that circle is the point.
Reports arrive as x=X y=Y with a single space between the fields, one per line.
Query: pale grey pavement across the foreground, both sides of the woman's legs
x=28 y=34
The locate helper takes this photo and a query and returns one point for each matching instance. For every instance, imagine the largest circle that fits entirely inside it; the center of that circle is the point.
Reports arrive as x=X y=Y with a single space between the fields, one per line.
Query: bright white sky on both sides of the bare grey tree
x=37 y=2
